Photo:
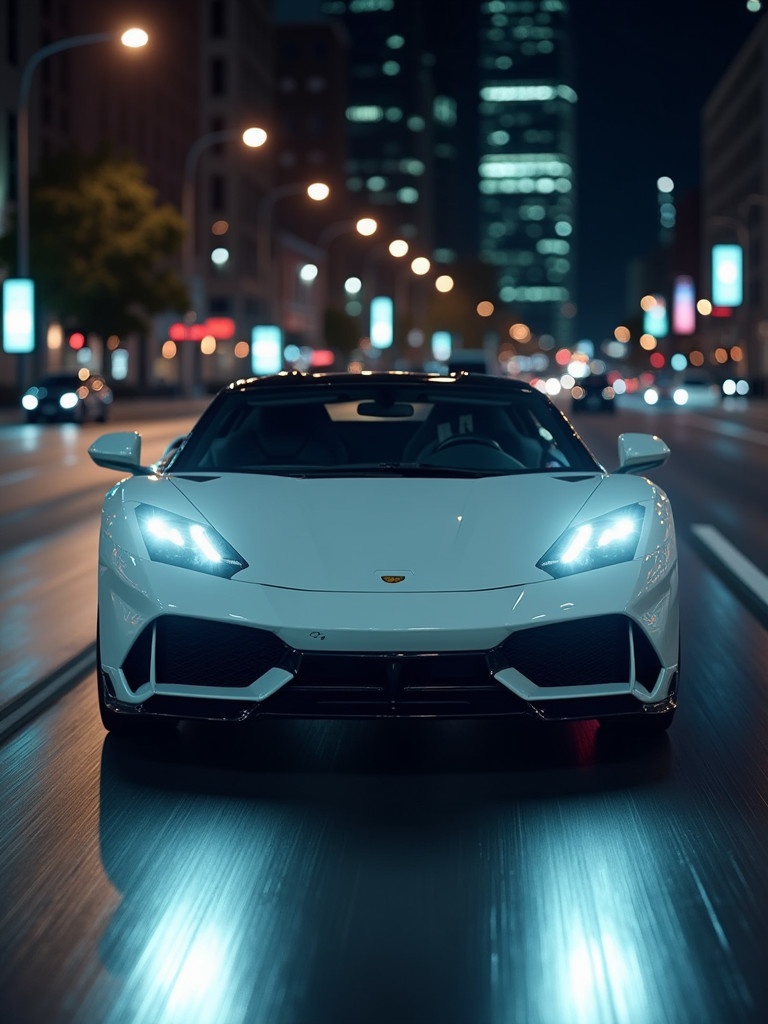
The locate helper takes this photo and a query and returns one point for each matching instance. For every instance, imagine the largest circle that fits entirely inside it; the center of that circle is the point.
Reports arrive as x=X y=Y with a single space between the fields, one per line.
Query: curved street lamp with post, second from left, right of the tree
x=253 y=138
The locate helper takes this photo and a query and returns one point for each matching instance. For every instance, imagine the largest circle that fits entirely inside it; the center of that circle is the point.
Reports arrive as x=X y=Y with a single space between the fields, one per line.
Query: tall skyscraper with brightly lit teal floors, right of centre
x=527 y=126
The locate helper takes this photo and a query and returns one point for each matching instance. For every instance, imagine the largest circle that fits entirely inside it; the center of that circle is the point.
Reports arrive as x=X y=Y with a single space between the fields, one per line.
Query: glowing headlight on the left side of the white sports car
x=187 y=543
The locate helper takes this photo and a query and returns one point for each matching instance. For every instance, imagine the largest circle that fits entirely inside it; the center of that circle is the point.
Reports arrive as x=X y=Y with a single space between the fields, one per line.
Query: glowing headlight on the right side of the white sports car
x=606 y=541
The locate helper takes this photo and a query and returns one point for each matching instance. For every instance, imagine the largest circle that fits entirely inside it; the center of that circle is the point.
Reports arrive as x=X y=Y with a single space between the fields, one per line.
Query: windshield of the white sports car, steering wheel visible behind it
x=365 y=429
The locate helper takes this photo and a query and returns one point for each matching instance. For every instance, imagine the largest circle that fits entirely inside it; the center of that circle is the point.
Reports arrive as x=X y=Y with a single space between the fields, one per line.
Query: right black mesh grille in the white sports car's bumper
x=583 y=653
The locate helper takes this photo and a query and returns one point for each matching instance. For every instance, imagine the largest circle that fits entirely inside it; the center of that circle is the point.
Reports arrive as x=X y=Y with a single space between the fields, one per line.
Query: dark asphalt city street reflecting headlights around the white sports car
x=486 y=872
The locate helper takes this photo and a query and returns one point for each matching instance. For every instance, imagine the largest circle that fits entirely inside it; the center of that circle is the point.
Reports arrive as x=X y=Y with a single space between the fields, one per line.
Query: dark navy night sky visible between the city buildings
x=645 y=71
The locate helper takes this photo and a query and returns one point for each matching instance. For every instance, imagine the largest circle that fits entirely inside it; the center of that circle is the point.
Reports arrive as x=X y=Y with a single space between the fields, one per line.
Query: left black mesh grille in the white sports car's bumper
x=195 y=653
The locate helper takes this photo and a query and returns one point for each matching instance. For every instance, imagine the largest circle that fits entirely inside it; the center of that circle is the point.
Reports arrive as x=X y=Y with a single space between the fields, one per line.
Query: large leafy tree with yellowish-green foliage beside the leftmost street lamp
x=101 y=248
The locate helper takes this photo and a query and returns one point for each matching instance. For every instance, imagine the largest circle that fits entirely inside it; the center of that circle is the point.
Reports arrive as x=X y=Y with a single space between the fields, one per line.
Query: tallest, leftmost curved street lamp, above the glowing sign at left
x=133 y=38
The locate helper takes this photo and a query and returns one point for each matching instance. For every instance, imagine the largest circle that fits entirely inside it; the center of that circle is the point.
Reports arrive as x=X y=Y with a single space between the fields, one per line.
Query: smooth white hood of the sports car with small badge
x=440 y=535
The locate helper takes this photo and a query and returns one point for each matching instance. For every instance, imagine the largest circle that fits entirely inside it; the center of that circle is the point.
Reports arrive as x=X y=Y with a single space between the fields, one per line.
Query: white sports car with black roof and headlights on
x=386 y=544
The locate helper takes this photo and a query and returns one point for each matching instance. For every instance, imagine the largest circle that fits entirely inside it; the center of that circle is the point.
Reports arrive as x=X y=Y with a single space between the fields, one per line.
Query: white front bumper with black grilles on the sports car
x=571 y=649
